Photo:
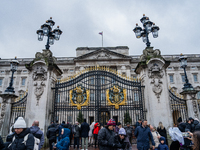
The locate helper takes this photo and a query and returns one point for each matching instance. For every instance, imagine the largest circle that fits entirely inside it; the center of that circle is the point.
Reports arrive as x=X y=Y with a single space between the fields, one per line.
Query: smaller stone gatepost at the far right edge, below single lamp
x=192 y=105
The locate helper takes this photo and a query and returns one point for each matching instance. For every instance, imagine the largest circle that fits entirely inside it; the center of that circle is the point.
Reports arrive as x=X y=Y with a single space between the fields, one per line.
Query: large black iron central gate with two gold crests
x=99 y=93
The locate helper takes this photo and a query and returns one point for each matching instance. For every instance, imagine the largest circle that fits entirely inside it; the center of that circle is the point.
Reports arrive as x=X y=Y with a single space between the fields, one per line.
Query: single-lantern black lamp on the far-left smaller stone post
x=13 y=64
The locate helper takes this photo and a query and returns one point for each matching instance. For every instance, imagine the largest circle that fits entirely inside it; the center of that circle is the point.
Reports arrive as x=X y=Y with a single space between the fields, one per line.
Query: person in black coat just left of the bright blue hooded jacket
x=51 y=134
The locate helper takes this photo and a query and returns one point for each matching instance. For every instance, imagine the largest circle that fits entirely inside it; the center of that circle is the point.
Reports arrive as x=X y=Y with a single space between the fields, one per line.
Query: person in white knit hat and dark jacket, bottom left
x=21 y=132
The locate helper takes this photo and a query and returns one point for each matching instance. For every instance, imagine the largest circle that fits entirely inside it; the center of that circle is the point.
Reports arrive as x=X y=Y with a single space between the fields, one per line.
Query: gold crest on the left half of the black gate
x=79 y=97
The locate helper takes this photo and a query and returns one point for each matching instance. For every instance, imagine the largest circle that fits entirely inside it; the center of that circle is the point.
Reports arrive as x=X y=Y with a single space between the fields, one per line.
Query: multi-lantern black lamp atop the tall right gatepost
x=148 y=28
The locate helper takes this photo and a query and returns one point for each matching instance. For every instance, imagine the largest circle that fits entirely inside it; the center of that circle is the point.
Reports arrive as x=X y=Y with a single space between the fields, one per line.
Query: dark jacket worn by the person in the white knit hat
x=18 y=144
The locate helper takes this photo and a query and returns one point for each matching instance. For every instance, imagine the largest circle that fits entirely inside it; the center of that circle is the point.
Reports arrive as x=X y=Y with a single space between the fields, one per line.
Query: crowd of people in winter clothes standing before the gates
x=111 y=136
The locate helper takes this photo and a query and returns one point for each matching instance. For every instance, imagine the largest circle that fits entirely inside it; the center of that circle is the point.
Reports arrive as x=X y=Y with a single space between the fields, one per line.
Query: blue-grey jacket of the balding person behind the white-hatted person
x=35 y=130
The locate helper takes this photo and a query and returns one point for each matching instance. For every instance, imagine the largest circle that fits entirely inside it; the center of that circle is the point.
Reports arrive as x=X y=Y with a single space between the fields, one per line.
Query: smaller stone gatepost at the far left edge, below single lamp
x=7 y=99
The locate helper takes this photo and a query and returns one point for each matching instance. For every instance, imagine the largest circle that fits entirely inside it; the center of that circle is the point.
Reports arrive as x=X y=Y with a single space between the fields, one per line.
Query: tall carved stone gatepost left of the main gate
x=43 y=73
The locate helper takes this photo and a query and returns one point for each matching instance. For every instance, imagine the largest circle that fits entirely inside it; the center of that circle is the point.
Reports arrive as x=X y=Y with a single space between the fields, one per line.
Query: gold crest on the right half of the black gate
x=116 y=96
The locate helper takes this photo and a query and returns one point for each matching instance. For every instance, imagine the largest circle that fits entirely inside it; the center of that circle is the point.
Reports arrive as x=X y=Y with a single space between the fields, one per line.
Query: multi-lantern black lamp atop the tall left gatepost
x=46 y=30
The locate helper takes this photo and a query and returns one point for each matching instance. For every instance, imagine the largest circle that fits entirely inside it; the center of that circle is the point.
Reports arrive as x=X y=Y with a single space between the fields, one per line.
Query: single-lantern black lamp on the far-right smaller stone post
x=183 y=63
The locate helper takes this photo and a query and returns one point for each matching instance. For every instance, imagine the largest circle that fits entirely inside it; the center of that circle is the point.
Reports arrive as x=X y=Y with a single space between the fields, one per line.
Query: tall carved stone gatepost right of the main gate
x=152 y=71
